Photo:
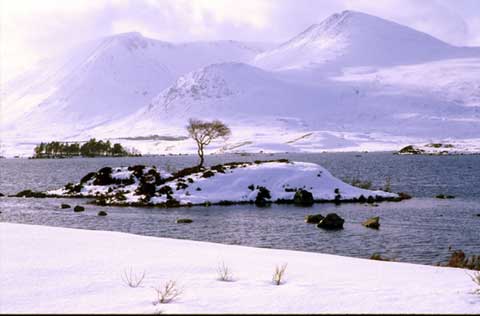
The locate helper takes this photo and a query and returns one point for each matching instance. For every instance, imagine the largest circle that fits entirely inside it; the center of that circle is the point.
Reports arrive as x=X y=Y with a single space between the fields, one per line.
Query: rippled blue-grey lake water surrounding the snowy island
x=418 y=230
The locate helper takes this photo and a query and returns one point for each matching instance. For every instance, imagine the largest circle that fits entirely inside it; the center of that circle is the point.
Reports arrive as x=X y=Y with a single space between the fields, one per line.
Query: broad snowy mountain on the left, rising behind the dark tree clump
x=104 y=80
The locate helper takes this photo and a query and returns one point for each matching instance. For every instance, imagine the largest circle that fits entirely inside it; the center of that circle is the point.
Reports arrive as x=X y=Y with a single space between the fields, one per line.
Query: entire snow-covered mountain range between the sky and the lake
x=352 y=82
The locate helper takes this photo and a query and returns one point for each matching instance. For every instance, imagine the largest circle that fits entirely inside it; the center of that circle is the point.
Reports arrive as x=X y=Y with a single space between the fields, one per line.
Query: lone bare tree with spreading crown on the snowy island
x=204 y=132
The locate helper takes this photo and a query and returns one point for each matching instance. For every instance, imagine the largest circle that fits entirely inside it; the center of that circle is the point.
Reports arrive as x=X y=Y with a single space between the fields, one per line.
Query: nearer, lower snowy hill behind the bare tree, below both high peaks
x=272 y=111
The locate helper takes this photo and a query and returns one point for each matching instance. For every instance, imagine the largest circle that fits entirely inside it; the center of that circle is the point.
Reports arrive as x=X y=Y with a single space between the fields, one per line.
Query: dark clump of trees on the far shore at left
x=91 y=148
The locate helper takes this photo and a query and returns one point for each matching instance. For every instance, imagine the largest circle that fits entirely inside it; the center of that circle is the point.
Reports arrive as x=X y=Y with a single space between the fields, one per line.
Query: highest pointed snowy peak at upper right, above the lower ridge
x=357 y=39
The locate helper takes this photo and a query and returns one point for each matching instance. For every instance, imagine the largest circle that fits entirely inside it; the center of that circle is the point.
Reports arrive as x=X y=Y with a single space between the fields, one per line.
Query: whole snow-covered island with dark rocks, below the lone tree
x=259 y=182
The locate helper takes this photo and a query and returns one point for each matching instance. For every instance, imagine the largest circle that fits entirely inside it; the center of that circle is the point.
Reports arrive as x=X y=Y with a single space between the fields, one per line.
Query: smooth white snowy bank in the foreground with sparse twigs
x=59 y=270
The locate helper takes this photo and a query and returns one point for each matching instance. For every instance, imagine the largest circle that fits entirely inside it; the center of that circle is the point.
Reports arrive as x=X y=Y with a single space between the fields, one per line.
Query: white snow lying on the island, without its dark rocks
x=233 y=184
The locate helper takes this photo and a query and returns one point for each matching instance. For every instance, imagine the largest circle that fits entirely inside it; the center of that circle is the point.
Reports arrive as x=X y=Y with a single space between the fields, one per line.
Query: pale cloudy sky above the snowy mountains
x=34 y=29
